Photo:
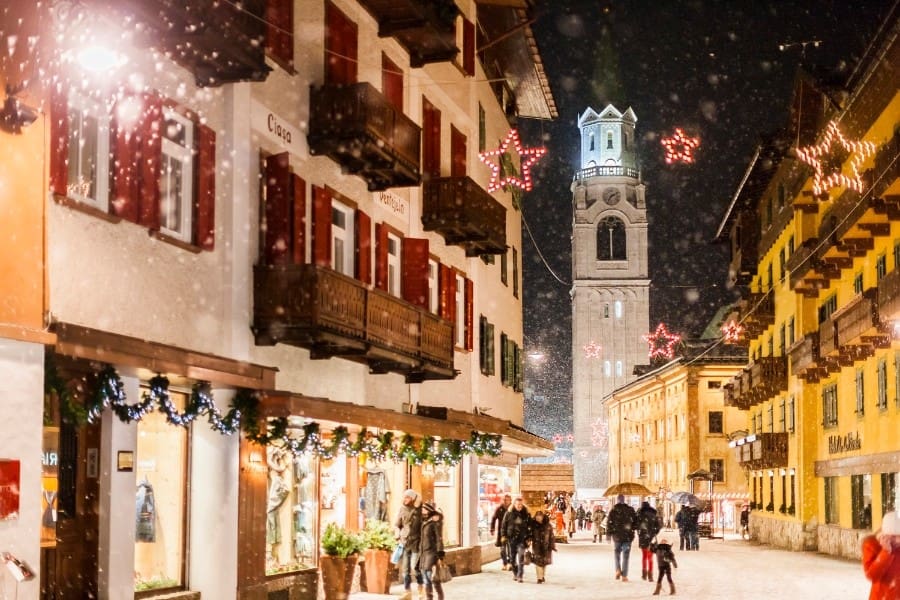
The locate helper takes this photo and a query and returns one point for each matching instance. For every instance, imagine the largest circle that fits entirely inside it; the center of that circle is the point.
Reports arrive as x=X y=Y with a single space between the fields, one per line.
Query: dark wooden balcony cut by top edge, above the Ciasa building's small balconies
x=426 y=28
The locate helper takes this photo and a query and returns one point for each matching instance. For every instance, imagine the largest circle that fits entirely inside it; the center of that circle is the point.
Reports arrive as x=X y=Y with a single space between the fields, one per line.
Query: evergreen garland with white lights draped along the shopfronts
x=108 y=391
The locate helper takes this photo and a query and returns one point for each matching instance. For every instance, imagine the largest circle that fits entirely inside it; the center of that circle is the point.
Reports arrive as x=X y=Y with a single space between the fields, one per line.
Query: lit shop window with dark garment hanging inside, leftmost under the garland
x=161 y=458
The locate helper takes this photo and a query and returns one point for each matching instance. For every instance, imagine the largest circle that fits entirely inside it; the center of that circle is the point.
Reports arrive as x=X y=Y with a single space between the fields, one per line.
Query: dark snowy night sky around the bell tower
x=713 y=68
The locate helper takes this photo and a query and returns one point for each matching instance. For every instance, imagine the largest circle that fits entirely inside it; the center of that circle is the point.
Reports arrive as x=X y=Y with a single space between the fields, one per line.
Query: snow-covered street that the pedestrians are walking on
x=730 y=568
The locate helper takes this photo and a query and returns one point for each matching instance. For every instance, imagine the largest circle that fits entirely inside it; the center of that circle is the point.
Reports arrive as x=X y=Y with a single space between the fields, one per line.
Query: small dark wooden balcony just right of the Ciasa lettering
x=358 y=128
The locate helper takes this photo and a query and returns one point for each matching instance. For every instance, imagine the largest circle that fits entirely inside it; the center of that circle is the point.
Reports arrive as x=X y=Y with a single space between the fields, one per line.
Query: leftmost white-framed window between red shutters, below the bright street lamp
x=88 y=152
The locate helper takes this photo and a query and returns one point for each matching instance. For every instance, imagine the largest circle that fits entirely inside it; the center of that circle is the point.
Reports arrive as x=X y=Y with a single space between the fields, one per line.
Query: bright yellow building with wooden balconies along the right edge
x=813 y=230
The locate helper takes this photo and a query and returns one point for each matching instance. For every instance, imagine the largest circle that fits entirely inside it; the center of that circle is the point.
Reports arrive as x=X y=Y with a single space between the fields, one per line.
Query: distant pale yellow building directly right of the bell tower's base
x=671 y=424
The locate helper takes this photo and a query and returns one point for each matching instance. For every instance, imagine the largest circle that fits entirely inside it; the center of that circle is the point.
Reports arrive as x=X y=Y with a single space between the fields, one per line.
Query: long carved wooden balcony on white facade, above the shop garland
x=333 y=315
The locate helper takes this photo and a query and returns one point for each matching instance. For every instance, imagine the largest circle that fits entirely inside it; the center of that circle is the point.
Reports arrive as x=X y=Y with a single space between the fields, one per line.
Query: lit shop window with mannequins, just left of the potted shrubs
x=292 y=506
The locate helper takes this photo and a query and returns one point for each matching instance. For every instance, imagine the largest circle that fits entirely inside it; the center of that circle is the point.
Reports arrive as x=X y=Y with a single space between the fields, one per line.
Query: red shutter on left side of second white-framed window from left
x=149 y=159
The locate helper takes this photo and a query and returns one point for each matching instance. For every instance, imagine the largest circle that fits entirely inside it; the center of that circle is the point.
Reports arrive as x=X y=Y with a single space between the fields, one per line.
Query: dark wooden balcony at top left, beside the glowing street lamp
x=219 y=42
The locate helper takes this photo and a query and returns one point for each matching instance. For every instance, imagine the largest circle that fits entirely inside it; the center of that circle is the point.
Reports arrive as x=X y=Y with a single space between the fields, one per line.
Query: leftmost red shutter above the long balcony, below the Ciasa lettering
x=278 y=209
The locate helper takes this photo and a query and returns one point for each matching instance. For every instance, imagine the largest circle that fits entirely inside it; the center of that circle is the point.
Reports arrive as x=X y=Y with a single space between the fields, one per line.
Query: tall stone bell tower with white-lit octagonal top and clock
x=611 y=288
